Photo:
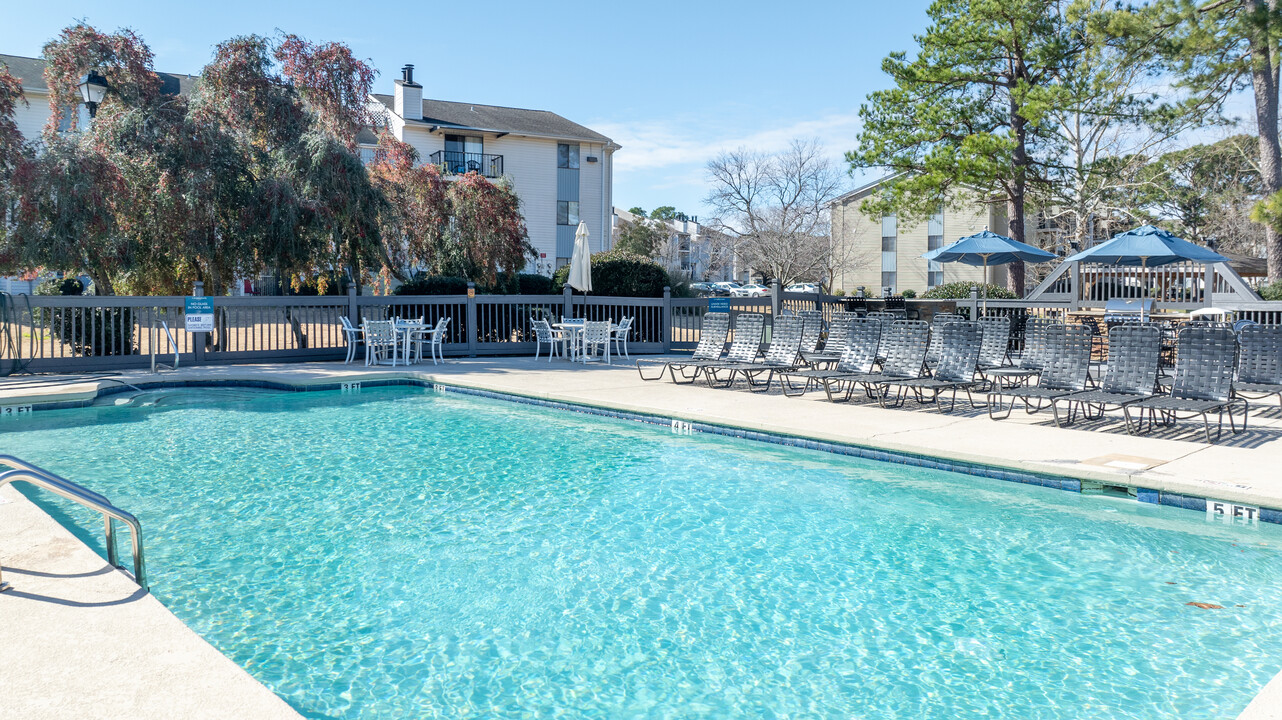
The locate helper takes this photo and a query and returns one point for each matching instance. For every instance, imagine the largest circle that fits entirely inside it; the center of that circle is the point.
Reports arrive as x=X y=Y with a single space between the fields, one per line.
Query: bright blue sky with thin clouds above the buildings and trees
x=674 y=83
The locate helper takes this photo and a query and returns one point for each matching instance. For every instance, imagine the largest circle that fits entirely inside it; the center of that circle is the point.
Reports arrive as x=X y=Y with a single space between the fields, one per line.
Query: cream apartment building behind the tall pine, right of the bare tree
x=888 y=254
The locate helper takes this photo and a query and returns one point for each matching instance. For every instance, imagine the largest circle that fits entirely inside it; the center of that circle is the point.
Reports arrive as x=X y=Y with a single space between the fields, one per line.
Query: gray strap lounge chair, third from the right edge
x=1133 y=373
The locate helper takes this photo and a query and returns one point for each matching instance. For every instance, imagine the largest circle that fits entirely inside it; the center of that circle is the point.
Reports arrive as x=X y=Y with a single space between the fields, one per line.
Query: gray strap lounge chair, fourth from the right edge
x=1065 y=366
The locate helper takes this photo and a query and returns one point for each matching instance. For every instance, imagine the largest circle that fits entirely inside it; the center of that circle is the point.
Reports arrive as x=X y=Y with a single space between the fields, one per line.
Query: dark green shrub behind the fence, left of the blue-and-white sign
x=90 y=331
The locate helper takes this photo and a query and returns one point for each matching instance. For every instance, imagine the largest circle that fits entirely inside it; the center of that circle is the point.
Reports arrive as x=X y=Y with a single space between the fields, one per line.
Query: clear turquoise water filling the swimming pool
x=413 y=554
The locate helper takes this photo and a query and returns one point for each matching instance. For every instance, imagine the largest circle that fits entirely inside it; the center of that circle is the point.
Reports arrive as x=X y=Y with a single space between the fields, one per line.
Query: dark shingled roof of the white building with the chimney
x=497 y=119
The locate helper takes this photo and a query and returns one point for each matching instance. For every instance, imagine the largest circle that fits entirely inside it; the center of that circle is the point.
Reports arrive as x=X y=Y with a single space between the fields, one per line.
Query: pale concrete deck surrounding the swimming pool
x=1243 y=470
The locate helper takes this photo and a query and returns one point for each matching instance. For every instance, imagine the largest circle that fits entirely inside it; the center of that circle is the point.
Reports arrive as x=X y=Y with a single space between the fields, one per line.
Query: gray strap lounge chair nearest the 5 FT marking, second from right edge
x=1203 y=382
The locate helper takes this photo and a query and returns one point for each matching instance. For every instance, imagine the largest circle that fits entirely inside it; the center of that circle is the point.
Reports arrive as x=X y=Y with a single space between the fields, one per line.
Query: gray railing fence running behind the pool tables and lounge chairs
x=56 y=334
